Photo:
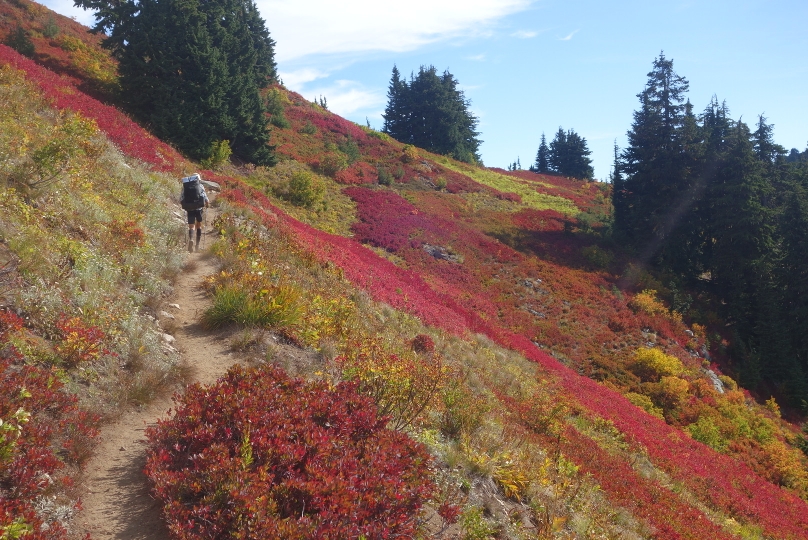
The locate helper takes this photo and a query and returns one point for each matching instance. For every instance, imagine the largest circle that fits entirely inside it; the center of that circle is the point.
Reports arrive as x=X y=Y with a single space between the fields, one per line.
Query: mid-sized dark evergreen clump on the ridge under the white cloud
x=432 y=113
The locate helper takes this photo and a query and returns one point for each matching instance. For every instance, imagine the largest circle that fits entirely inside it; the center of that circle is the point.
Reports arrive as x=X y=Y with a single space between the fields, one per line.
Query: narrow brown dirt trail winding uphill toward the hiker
x=115 y=498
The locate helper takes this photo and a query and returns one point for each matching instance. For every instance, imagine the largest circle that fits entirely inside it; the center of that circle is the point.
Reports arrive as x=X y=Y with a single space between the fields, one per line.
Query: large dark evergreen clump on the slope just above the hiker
x=193 y=70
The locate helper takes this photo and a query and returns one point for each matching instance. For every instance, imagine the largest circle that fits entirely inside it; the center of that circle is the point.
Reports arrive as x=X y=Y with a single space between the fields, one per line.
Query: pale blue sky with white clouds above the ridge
x=531 y=66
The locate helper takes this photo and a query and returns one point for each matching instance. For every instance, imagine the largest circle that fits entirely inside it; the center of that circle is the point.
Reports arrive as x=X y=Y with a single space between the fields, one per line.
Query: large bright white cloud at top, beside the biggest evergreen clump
x=303 y=28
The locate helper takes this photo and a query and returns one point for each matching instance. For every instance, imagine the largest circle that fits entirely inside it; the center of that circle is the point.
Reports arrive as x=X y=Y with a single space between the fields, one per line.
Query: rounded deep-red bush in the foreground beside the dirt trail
x=261 y=455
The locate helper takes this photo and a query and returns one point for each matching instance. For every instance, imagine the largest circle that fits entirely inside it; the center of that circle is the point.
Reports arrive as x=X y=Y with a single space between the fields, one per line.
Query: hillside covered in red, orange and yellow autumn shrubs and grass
x=558 y=389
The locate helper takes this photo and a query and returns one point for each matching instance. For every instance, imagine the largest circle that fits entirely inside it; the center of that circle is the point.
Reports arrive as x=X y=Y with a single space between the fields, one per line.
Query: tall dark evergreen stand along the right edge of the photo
x=722 y=208
